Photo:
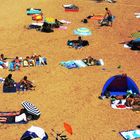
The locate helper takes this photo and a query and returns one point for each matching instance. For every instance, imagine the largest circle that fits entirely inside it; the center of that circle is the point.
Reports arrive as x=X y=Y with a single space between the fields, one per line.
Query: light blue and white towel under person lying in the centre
x=76 y=63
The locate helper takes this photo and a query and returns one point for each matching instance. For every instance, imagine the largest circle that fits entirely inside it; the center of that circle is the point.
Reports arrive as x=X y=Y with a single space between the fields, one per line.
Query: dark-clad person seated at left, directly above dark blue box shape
x=9 y=82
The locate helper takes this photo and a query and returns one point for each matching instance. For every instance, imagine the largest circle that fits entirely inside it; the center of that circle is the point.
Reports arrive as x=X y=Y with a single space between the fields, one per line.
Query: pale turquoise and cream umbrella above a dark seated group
x=82 y=32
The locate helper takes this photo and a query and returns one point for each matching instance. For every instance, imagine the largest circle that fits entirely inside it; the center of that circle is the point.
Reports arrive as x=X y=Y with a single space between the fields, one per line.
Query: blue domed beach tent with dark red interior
x=118 y=85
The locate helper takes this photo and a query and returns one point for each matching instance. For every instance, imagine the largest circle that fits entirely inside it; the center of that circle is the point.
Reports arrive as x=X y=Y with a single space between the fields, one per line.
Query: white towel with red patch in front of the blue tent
x=119 y=104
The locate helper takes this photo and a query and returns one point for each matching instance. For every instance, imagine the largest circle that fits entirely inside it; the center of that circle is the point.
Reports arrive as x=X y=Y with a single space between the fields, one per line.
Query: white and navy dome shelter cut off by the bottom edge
x=34 y=132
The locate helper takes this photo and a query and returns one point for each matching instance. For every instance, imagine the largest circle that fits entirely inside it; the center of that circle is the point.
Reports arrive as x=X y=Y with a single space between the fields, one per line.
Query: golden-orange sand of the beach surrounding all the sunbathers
x=64 y=95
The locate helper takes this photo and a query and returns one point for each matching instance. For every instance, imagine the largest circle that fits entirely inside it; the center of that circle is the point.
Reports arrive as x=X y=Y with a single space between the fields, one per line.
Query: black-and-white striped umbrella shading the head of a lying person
x=32 y=109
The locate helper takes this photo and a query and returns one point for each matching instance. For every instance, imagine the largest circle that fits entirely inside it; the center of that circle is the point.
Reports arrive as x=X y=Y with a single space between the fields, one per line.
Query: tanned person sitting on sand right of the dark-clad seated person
x=26 y=84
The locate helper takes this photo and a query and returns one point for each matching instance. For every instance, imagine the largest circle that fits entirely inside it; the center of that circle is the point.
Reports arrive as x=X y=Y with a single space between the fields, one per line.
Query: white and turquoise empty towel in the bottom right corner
x=130 y=134
